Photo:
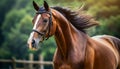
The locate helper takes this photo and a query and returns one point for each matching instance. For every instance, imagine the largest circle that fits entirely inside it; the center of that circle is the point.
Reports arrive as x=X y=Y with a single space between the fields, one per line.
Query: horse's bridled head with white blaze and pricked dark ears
x=43 y=23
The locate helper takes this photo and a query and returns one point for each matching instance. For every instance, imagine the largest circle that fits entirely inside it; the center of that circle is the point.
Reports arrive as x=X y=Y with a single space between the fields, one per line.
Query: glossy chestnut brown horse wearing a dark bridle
x=75 y=48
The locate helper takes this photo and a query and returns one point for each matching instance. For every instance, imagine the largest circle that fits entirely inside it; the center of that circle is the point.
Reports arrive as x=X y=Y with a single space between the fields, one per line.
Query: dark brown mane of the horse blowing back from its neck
x=80 y=20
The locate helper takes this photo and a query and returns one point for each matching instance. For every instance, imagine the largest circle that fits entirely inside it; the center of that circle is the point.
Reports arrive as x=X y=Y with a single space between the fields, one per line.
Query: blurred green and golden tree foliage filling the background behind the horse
x=16 y=24
